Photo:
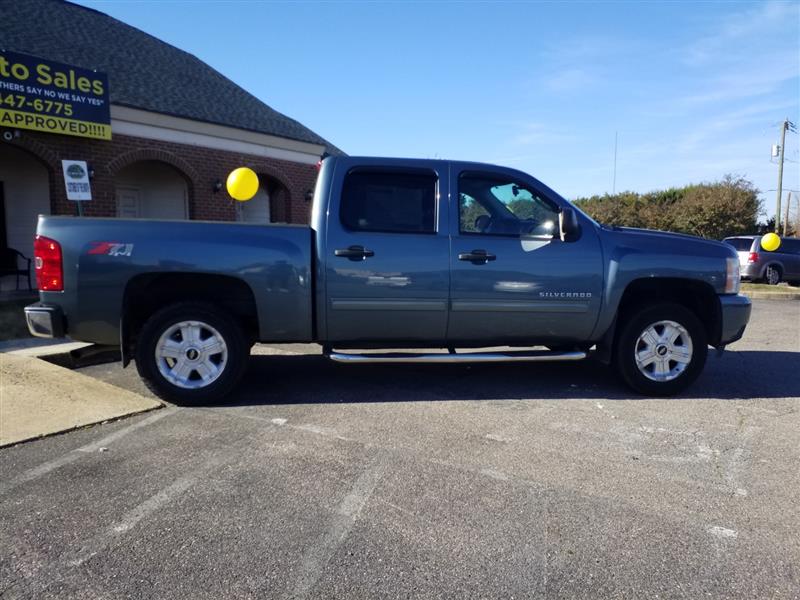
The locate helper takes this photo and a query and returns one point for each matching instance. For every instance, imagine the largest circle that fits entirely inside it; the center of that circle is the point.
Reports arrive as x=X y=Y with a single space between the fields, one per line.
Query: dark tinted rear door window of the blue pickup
x=392 y=201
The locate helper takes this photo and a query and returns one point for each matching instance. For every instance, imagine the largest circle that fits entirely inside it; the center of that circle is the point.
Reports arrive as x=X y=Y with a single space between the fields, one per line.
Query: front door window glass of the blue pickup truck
x=495 y=206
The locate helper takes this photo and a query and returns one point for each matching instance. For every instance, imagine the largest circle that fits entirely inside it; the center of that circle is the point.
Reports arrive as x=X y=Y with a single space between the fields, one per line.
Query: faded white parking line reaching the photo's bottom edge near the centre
x=317 y=557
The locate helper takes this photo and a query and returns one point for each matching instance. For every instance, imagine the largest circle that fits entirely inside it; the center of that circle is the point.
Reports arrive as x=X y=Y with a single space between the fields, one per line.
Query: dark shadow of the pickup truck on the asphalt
x=312 y=379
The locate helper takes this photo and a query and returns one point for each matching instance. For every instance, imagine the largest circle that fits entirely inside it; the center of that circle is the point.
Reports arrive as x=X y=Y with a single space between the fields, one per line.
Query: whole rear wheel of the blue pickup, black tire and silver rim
x=191 y=353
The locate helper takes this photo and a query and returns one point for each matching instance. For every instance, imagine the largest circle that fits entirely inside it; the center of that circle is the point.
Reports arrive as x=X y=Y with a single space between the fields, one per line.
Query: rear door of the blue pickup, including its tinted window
x=386 y=256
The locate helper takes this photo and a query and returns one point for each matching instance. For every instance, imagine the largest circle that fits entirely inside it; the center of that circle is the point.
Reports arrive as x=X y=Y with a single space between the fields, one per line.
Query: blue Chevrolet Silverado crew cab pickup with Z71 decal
x=440 y=257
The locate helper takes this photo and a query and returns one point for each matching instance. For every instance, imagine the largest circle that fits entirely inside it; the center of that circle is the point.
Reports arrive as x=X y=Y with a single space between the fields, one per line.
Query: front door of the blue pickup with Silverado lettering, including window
x=513 y=280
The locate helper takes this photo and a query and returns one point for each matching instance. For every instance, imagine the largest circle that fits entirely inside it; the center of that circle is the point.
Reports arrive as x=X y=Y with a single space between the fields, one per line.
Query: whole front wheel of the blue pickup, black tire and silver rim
x=671 y=365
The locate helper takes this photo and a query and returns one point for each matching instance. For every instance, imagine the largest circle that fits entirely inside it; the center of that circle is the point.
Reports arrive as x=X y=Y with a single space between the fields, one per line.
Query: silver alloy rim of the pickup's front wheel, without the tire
x=663 y=351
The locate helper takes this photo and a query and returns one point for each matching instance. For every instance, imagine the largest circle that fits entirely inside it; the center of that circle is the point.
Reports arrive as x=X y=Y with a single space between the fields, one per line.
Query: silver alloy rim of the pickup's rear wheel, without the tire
x=191 y=354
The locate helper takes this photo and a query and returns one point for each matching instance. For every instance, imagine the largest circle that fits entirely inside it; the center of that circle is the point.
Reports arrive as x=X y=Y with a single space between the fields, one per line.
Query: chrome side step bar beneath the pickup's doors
x=466 y=357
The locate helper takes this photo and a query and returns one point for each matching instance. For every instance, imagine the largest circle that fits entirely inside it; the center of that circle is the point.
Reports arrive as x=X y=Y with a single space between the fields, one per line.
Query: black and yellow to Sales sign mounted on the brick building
x=48 y=96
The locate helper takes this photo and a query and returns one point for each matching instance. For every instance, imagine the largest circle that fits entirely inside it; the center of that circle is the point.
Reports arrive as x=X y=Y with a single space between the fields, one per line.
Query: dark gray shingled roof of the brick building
x=143 y=72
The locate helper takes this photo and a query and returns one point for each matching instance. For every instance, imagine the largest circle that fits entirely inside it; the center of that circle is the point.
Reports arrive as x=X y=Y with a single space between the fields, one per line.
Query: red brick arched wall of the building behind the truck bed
x=288 y=181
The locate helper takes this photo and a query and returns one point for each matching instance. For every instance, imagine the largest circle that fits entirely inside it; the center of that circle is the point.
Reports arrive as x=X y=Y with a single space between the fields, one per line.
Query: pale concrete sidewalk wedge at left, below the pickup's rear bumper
x=38 y=398
